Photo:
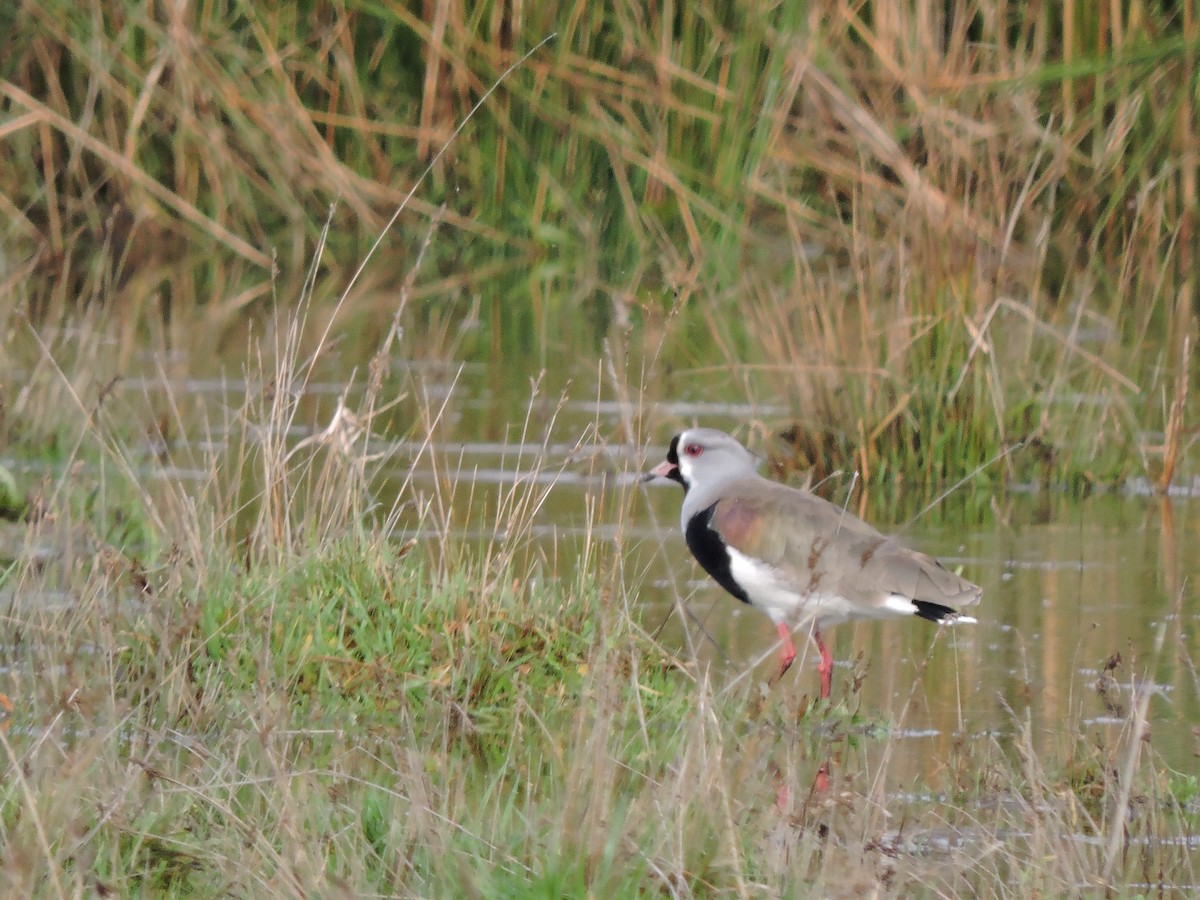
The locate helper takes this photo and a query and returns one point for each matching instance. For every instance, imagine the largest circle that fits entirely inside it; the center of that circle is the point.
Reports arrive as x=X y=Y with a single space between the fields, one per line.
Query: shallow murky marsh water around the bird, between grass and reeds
x=1088 y=603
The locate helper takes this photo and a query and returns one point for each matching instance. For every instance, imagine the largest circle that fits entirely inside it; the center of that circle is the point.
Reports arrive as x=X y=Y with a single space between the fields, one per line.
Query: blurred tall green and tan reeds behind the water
x=981 y=214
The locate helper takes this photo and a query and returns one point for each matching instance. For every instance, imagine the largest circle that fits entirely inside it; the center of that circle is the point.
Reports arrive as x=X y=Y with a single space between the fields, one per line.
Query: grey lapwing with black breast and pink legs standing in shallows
x=803 y=561
